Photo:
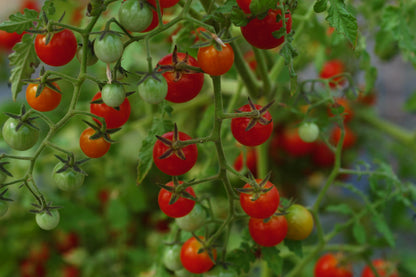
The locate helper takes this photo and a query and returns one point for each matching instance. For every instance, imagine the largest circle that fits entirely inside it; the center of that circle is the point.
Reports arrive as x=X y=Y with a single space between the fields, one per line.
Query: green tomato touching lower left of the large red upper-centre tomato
x=153 y=91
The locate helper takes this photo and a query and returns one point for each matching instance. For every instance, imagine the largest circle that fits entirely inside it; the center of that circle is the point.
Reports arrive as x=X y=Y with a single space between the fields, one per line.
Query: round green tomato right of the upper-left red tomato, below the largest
x=109 y=48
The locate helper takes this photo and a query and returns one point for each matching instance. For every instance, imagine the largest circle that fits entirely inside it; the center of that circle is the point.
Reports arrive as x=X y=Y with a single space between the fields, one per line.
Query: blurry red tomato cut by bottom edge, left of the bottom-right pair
x=330 y=265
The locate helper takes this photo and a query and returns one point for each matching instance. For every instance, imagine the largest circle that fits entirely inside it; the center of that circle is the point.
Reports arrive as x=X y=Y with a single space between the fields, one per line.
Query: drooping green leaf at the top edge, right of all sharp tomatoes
x=343 y=21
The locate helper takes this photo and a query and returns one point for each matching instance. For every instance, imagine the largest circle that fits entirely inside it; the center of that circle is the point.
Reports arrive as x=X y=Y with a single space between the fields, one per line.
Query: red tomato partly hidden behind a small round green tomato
x=113 y=118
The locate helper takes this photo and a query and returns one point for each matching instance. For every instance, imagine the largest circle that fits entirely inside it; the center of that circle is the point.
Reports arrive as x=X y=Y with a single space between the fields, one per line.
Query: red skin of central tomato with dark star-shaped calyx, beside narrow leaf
x=173 y=165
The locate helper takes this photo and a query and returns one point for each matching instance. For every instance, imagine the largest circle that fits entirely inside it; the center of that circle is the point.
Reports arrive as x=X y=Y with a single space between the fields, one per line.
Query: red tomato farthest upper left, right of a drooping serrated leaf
x=60 y=50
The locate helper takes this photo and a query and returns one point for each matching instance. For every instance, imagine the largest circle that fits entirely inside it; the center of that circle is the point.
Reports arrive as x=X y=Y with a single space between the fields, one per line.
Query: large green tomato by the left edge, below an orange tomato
x=22 y=139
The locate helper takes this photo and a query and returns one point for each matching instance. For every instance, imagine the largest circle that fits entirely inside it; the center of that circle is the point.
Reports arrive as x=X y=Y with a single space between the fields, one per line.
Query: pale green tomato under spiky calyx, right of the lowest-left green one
x=67 y=180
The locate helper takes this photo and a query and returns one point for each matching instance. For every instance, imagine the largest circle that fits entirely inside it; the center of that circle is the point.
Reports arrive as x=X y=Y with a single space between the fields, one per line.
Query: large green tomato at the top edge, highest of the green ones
x=135 y=15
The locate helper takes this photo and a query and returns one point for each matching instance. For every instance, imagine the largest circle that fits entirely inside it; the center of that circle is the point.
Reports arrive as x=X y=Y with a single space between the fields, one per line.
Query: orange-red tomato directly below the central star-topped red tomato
x=182 y=205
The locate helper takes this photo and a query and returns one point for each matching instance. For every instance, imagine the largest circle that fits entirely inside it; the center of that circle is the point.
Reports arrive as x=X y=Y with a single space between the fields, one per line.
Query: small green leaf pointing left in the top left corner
x=19 y=22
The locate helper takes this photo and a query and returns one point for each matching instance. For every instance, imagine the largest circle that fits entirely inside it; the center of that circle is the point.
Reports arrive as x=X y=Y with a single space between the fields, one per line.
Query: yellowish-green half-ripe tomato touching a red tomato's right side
x=300 y=222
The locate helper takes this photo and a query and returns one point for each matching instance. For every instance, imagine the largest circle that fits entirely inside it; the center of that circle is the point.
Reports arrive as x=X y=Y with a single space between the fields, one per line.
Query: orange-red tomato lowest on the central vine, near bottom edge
x=193 y=261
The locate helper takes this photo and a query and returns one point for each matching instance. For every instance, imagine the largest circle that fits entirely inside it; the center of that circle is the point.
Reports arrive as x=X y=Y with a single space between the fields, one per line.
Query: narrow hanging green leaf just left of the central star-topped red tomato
x=145 y=159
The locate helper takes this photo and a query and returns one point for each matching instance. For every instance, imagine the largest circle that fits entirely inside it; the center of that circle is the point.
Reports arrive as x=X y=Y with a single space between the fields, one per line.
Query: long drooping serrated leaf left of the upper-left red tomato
x=23 y=62
